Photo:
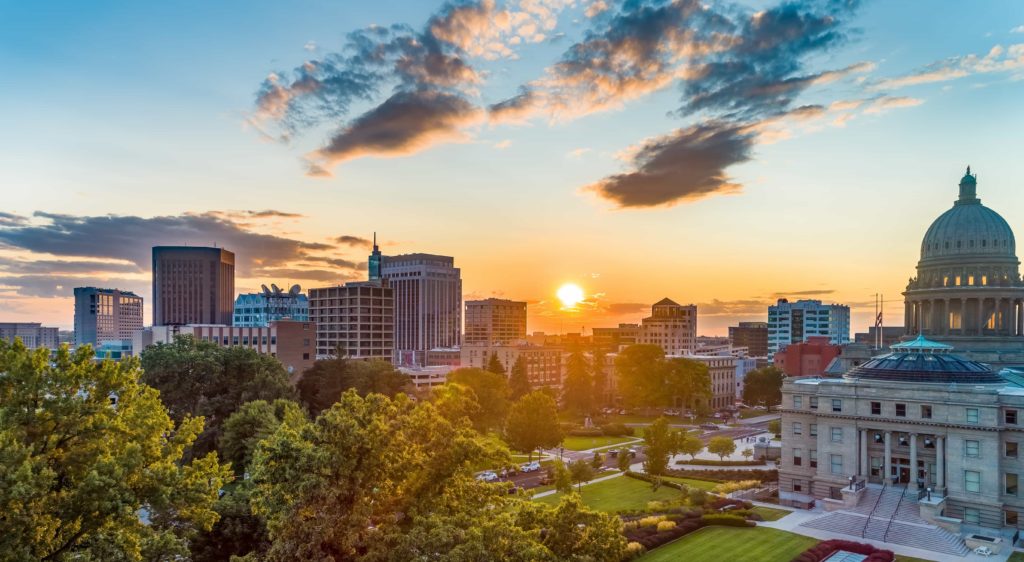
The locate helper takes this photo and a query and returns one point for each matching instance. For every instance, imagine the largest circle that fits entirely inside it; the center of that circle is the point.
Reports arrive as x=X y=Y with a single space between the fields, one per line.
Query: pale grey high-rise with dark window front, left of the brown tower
x=104 y=316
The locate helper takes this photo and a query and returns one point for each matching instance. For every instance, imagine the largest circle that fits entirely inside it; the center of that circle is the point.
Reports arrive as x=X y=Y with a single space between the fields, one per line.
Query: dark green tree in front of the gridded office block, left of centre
x=322 y=385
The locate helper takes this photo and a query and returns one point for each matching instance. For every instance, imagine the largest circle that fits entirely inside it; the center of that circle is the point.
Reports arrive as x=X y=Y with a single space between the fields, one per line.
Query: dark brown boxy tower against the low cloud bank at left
x=193 y=285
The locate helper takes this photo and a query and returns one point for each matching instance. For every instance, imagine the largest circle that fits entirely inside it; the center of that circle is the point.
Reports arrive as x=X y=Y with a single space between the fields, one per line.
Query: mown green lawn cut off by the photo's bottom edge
x=735 y=545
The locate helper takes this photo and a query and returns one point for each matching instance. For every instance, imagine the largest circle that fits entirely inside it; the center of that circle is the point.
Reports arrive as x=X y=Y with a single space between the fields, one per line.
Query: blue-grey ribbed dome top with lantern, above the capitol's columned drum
x=969 y=230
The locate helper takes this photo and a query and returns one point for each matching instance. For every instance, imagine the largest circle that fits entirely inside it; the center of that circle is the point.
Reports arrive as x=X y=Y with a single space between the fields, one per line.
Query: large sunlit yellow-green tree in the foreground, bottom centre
x=377 y=480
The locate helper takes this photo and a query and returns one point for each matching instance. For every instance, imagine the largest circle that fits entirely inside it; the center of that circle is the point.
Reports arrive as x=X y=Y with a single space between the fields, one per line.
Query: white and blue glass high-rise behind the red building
x=796 y=322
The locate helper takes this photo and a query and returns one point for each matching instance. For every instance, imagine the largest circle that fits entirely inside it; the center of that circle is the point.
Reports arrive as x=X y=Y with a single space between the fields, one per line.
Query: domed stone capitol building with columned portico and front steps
x=924 y=446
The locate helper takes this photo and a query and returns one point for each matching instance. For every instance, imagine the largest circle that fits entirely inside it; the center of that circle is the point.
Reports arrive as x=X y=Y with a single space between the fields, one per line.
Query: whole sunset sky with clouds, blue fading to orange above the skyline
x=719 y=154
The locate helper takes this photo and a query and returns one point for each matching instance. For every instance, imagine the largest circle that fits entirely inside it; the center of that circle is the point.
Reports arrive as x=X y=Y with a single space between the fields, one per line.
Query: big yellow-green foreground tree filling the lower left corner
x=86 y=449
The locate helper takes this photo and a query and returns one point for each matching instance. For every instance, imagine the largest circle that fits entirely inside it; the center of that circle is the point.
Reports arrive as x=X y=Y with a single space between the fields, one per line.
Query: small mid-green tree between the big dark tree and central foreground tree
x=252 y=423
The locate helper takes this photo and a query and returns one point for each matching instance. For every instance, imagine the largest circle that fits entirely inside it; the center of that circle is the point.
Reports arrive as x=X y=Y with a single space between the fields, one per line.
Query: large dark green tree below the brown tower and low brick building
x=197 y=378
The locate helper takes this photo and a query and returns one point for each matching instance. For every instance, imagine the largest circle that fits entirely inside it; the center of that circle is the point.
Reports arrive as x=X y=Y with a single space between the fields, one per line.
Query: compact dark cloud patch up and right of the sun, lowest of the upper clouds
x=687 y=165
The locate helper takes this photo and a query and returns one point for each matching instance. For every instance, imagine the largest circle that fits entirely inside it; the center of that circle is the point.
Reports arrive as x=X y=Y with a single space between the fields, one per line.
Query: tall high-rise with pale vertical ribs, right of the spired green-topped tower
x=428 y=305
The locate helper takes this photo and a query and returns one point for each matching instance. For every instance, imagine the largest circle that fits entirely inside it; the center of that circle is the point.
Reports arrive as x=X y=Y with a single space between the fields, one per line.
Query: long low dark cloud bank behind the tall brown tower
x=132 y=239
